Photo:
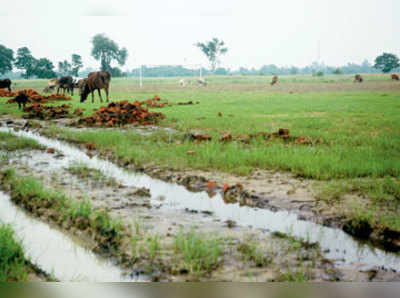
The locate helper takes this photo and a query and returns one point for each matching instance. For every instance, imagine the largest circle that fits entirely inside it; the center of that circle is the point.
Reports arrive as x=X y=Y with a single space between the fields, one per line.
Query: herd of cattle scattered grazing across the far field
x=101 y=80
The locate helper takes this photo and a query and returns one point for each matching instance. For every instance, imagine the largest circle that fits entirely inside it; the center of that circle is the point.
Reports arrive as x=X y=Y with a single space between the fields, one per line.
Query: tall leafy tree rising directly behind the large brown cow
x=107 y=50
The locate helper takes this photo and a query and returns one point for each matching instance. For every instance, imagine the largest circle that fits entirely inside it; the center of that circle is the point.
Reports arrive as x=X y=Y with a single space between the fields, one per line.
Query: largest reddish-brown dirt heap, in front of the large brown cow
x=121 y=113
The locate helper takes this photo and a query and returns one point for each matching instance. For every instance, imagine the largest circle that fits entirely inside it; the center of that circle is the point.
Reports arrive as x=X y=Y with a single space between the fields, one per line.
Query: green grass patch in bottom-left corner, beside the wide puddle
x=12 y=258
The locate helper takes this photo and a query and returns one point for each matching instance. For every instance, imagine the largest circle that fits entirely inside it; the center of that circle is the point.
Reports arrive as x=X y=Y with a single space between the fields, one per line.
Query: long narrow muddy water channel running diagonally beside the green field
x=335 y=244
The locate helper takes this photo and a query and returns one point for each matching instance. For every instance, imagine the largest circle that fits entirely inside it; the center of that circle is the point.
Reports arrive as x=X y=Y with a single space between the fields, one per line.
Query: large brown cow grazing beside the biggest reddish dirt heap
x=96 y=80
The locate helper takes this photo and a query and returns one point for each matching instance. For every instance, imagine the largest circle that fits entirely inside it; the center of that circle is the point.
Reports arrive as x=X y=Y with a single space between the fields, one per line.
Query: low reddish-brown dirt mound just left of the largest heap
x=42 y=112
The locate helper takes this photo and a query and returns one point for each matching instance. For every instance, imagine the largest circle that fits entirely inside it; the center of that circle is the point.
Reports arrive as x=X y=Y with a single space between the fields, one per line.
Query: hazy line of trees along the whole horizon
x=107 y=51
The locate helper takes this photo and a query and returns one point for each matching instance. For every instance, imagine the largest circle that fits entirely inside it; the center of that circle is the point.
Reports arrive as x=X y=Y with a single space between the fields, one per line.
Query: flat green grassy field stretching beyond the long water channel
x=352 y=157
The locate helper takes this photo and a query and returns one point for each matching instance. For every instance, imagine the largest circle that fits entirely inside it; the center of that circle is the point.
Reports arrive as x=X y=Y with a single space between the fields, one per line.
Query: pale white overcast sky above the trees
x=257 y=32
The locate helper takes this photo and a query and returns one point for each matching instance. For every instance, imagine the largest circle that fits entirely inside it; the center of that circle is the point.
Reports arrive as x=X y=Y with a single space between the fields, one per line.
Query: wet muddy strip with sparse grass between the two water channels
x=252 y=254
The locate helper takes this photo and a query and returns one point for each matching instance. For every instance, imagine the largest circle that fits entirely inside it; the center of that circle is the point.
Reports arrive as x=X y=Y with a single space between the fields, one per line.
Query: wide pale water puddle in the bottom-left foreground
x=55 y=252
